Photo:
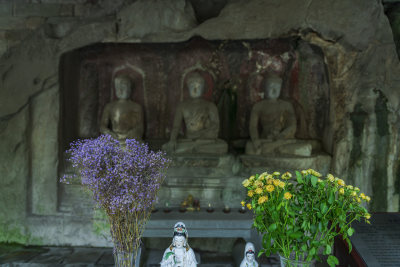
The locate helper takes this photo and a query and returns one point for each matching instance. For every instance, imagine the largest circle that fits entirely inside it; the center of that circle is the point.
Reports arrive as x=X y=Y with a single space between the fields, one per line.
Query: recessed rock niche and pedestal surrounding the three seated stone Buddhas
x=233 y=72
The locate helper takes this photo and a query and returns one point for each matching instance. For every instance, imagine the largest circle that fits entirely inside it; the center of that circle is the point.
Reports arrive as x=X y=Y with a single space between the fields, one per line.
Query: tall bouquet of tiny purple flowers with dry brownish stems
x=124 y=180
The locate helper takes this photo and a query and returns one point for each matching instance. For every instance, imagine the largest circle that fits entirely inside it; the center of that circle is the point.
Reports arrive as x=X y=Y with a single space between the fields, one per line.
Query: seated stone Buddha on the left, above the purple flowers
x=122 y=118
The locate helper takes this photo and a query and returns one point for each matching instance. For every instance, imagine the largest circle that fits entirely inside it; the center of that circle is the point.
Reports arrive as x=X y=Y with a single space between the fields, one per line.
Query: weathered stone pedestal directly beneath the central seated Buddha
x=212 y=179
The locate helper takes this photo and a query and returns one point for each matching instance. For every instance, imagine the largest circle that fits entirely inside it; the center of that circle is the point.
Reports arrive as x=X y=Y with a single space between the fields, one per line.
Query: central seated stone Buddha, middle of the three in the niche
x=201 y=123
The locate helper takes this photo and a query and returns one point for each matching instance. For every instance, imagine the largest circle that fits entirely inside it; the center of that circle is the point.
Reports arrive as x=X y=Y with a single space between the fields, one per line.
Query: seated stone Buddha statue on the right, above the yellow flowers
x=278 y=124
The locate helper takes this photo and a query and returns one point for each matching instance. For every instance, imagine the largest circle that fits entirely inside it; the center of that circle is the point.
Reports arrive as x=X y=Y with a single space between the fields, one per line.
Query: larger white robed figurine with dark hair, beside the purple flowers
x=179 y=254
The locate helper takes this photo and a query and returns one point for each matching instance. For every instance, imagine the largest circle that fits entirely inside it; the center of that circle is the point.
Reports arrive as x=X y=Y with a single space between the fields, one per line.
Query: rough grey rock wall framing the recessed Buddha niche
x=357 y=47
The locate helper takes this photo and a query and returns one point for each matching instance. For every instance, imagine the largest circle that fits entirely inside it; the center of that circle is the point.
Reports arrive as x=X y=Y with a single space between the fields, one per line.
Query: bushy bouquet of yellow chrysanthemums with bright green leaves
x=300 y=216
